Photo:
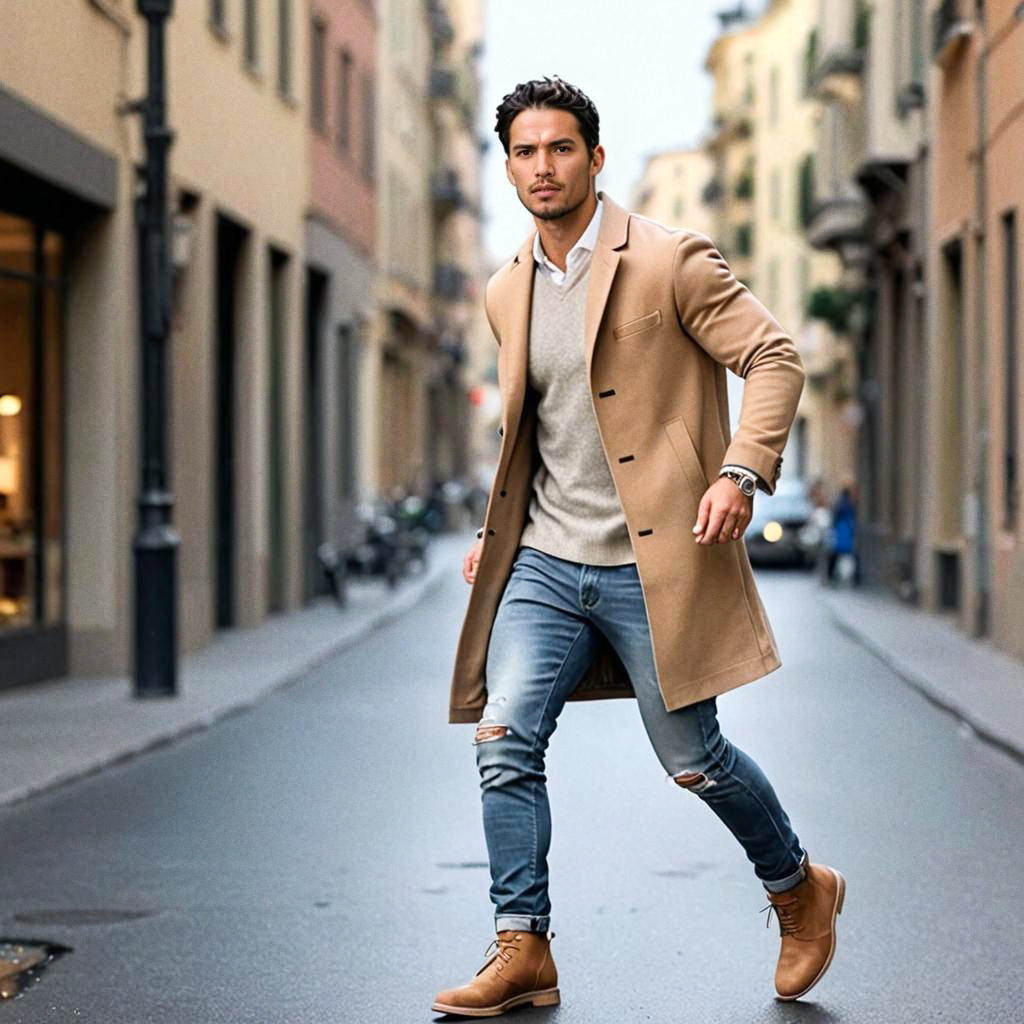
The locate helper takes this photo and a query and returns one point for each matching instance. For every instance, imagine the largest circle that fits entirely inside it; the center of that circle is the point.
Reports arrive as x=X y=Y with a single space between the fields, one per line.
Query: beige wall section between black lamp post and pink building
x=241 y=148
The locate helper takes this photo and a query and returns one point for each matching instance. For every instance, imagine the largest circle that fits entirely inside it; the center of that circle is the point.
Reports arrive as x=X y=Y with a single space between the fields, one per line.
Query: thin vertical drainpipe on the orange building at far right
x=980 y=503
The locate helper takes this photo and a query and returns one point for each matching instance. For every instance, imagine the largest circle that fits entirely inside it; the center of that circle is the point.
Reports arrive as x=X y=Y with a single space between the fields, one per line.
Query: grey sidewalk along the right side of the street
x=973 y=680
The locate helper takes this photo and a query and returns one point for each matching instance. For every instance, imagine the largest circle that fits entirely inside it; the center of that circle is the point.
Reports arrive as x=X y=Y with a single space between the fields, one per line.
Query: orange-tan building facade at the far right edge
x=970 y=559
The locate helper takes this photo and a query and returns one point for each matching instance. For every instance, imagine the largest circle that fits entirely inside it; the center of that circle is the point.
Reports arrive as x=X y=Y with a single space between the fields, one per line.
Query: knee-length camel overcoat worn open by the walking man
x=665 y=319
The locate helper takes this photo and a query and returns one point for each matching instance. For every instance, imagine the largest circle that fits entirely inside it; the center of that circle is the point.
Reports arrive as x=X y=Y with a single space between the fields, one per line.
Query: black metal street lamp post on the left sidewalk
x=157 y=540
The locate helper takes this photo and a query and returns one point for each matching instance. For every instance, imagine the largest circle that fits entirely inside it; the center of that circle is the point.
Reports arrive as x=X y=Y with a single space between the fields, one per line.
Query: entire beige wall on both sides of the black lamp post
x=240 y=150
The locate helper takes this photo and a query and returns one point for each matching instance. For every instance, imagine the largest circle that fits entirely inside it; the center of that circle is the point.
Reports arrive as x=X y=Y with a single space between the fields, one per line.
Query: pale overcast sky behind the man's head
x=641 y=61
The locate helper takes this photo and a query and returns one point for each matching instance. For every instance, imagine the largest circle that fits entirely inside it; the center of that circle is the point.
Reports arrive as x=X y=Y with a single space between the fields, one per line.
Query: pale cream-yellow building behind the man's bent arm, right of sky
x=763 y=144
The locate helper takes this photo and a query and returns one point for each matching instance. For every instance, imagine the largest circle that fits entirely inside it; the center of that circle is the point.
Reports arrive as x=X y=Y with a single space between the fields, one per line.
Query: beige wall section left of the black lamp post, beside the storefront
x=91 y=51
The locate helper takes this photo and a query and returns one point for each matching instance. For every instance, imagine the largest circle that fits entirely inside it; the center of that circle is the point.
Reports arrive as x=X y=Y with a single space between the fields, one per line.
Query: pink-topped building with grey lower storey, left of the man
x=340 y=300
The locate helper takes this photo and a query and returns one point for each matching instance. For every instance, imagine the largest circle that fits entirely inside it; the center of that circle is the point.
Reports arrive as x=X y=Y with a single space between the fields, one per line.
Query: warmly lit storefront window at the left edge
x=31 y=451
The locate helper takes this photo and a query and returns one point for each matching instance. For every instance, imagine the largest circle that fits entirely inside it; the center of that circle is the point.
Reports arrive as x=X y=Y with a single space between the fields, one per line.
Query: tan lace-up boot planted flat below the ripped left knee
x=520 y=971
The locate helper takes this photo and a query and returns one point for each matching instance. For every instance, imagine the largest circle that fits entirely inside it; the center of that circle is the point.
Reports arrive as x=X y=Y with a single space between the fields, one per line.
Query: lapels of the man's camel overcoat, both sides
x=515 y=353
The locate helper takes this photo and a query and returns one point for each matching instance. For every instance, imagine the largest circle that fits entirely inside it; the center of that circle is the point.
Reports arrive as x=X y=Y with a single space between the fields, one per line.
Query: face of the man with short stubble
x=548 y=163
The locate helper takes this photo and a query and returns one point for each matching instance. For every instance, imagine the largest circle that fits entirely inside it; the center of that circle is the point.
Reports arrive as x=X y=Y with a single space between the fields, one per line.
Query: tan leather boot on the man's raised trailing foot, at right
x=807 y=924
